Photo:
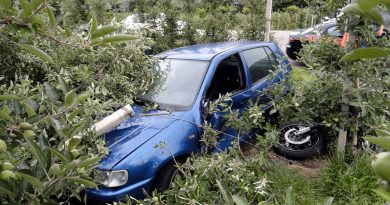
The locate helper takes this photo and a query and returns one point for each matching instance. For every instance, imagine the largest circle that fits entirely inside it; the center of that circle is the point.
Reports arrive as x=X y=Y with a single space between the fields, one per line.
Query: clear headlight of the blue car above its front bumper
x=112 y=178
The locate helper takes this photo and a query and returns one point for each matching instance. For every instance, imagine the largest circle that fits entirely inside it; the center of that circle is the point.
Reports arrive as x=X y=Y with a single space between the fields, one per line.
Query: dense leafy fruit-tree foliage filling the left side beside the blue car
x=54 y=85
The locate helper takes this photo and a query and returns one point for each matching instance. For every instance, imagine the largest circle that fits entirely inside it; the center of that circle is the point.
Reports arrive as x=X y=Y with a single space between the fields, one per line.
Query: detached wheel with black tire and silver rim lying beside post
x=311 y=144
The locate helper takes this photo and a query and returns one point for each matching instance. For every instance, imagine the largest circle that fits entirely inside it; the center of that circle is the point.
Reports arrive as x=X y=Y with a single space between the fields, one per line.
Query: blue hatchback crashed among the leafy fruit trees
x=191 y=77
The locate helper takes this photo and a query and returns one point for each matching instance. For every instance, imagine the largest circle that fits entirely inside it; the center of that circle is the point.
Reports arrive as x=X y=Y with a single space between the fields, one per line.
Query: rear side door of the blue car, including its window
x=261 y=62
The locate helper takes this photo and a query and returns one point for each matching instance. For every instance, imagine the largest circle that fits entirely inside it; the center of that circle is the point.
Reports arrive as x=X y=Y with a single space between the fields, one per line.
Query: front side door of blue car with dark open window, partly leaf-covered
x=230 y=77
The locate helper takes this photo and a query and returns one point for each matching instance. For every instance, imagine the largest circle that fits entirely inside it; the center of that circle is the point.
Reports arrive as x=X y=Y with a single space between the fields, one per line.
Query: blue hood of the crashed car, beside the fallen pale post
x=134 y=132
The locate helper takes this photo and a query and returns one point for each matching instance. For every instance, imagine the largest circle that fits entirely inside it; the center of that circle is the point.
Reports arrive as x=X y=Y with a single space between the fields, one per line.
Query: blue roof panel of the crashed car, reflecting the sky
x=207 y=51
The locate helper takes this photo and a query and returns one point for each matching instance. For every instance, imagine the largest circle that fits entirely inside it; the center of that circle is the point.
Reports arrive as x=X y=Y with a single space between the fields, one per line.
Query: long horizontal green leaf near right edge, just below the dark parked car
x=364 y=53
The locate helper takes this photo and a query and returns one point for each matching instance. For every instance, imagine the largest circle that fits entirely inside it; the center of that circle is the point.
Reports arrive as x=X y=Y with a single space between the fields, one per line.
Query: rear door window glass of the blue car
x=258 y=63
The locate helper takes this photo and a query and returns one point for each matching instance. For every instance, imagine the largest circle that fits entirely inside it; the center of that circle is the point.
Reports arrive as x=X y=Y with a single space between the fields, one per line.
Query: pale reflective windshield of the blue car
x=178 y=83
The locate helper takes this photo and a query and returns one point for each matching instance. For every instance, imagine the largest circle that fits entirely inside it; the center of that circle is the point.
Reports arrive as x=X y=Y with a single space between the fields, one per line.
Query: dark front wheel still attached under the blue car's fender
x=166 y=176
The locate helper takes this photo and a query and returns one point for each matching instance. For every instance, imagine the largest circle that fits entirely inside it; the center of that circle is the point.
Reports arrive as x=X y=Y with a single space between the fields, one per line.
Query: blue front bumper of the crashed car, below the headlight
x=105 y=195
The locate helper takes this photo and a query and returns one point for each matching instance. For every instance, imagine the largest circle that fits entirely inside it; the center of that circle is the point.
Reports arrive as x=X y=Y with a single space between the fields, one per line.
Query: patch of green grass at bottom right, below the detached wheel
x=348 y=183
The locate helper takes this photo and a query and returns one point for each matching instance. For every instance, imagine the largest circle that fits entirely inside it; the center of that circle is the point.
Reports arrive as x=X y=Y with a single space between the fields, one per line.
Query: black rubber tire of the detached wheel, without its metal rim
x=316 y=148
